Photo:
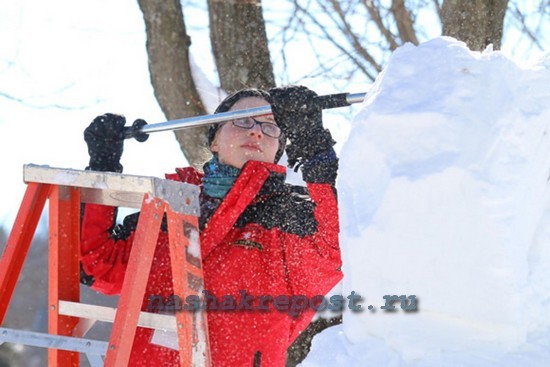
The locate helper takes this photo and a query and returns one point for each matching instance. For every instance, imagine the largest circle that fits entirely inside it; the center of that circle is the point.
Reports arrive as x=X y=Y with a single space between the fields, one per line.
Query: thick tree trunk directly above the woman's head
x=239 y=42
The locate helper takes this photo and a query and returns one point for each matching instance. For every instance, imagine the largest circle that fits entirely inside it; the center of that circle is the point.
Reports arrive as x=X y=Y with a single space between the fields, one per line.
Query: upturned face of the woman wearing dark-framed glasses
x=235 y=146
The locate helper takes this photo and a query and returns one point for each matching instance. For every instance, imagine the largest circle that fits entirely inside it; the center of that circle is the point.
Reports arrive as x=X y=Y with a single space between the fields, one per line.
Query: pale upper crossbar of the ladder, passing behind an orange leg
x=107 y=314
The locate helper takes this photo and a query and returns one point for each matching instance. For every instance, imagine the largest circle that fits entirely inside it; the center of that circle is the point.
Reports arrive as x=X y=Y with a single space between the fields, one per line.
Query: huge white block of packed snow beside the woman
x=445 y=194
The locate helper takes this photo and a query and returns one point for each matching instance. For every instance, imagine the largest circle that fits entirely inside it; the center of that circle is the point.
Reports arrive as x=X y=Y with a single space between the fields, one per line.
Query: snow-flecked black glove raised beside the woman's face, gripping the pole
x=300 y=117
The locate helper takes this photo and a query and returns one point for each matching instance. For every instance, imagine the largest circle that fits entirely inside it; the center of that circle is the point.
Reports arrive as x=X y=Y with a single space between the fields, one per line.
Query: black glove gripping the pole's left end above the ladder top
x=105 y=140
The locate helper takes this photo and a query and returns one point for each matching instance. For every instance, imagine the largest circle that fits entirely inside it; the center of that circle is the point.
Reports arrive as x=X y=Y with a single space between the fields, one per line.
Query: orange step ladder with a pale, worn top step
x=68 y=319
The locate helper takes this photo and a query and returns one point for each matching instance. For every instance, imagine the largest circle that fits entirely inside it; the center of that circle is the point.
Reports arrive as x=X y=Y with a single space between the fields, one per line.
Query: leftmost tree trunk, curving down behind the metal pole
x=168 y=51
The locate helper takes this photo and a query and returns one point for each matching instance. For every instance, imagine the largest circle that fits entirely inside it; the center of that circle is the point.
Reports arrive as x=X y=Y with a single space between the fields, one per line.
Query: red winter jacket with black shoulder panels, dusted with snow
x=266 y=238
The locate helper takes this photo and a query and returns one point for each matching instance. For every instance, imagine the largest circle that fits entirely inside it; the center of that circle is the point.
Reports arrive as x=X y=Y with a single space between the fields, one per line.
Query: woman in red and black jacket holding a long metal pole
x=267 y=244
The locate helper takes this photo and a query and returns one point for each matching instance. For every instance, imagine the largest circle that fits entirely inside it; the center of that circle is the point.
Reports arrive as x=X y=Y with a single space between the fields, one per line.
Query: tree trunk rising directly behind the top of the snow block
x=476 y=22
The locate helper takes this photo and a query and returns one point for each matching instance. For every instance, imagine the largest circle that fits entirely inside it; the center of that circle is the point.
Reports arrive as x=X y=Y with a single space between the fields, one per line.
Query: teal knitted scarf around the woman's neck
x=218 y=178
